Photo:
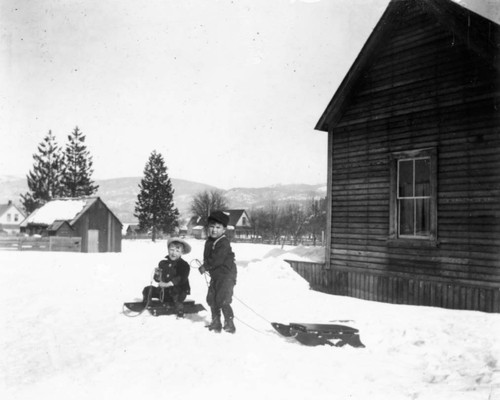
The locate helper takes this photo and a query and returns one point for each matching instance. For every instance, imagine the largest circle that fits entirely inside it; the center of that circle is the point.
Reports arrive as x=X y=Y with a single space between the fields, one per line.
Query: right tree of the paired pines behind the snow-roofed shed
x=78 y=169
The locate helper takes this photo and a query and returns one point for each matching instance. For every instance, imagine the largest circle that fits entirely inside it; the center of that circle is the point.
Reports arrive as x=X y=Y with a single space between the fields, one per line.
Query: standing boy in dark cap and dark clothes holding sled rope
x=218 y=260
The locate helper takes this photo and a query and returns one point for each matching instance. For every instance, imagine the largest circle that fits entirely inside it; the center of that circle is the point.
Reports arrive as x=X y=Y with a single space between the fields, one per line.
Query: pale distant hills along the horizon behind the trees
x=120 y=194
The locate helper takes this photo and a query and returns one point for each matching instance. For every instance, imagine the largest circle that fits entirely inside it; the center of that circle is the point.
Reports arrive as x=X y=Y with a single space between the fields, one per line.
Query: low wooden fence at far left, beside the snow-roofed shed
x=52 y=243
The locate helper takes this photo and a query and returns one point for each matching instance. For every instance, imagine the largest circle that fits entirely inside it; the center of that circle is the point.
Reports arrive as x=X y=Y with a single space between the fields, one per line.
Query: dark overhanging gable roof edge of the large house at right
x=481 y=34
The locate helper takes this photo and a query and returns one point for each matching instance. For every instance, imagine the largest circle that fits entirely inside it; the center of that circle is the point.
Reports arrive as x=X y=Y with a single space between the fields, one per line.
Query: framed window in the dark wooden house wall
x=413 y=195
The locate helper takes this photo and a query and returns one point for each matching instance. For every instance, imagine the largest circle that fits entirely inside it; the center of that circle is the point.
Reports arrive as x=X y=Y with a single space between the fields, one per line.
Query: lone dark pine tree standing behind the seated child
x=155 y=206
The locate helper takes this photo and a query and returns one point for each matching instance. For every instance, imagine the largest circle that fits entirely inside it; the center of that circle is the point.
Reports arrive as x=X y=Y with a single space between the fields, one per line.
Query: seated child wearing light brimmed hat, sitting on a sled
x=172 y=275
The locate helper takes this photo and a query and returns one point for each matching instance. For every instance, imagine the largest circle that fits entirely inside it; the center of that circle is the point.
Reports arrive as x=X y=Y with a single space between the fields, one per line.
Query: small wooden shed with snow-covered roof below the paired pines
x=88 y=218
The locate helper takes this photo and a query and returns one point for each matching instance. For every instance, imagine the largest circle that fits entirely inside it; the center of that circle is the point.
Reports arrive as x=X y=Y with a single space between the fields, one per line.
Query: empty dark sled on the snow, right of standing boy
x=320 y=334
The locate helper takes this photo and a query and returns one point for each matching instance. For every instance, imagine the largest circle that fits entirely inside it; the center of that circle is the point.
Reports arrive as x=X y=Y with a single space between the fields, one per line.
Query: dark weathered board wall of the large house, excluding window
x=424 y=89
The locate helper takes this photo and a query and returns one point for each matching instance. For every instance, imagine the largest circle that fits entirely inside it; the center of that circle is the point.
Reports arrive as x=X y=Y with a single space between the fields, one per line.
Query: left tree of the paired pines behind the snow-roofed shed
x=45 y=179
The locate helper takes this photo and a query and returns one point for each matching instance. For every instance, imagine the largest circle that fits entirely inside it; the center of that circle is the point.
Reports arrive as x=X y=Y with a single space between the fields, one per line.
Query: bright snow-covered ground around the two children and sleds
x=63 y=336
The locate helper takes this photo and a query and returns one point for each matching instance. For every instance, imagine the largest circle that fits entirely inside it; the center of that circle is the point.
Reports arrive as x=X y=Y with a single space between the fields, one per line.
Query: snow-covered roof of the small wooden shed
x=65 y=209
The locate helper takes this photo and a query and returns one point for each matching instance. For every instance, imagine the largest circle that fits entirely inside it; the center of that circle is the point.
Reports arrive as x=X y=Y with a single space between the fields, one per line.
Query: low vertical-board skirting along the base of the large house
x=399 y=288
